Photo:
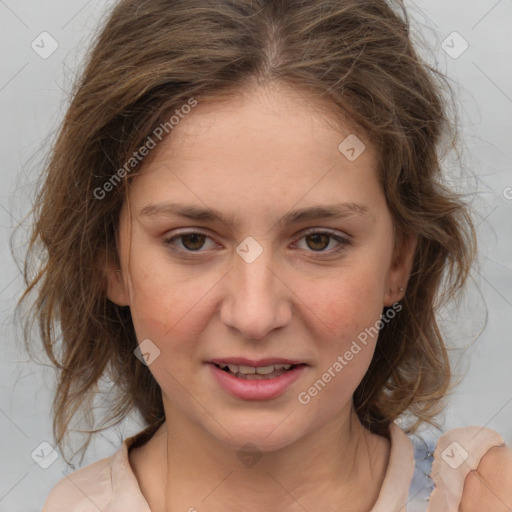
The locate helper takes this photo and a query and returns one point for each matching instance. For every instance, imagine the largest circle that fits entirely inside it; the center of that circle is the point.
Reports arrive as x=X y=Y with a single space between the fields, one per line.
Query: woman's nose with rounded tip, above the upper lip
x=257 y=299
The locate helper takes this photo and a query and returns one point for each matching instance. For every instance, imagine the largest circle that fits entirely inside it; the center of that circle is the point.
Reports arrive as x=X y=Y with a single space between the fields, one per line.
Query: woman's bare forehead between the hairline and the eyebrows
x=272 y=144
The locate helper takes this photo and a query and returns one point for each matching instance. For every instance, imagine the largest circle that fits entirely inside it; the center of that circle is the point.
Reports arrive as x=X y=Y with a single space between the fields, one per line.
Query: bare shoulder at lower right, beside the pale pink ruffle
x=489 y=486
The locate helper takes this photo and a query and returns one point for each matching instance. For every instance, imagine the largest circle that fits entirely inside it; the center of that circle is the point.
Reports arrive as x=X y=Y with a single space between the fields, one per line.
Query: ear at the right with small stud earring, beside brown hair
x=400 y=270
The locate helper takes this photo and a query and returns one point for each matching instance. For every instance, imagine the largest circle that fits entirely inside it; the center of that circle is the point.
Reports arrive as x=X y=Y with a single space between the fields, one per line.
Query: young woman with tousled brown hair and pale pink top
x=244 y=231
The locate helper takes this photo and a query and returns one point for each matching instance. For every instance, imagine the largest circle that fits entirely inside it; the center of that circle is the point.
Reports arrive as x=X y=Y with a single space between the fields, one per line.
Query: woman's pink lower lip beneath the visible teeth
x=261 y=389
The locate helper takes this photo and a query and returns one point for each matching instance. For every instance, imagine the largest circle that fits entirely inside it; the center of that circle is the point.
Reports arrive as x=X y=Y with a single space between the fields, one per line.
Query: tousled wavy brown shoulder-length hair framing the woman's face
x=149 y=58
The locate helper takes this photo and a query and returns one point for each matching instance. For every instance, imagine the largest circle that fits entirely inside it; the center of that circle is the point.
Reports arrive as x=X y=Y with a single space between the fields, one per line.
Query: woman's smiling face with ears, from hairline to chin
x=251 y=238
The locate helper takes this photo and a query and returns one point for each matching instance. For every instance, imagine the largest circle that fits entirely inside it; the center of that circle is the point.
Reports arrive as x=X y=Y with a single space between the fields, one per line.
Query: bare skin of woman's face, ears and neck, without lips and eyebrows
x=254 y=159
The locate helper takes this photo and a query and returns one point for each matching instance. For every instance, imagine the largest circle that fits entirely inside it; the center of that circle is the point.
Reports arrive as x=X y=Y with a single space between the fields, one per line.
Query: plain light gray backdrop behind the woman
x=33 y=98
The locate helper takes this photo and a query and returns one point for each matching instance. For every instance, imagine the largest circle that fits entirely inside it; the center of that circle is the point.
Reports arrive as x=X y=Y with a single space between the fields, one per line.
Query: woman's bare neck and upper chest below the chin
x=341 y=463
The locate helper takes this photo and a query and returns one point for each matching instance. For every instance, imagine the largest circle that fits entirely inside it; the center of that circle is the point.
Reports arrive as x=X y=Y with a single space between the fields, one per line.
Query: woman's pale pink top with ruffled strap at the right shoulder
x=109 y=485
